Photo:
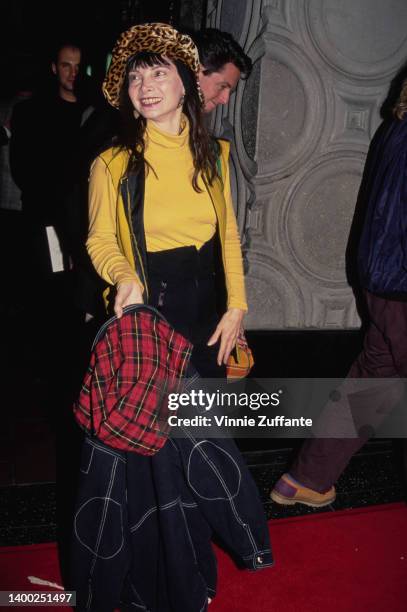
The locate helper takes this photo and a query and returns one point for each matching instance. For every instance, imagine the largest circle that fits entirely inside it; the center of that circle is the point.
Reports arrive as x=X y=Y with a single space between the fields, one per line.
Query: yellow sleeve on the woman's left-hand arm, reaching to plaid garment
x=102 y=244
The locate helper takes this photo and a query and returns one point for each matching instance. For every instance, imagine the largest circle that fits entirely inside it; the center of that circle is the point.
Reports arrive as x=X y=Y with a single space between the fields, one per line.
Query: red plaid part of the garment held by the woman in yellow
x=136 y=363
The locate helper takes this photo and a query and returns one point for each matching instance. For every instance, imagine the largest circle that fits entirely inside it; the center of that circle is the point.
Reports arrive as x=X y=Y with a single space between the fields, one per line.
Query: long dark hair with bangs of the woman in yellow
x=131 y=136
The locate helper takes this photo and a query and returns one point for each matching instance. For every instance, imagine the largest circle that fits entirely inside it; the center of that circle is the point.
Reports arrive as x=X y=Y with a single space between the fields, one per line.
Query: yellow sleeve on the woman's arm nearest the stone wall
x=234 y=274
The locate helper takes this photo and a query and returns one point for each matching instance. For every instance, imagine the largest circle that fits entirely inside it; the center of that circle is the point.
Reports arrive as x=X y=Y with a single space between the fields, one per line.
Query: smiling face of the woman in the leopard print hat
x=156 y=92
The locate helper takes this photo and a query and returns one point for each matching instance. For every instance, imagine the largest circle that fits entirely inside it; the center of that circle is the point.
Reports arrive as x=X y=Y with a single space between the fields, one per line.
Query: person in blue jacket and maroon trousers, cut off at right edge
x=382 y=265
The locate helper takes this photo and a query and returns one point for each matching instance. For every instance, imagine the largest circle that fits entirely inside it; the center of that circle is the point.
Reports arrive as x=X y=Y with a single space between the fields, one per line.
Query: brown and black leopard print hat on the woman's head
x=156 y=37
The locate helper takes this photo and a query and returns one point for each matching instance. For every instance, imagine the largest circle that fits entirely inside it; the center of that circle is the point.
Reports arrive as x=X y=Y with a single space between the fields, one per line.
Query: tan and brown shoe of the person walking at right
x=289 y=492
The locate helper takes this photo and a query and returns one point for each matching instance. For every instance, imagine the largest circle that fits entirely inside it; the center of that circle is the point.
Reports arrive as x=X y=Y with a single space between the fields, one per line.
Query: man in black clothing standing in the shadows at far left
x=49 y=138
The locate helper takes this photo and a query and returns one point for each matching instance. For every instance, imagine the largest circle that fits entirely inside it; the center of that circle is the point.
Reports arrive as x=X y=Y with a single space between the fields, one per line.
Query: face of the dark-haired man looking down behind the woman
x=218 y=86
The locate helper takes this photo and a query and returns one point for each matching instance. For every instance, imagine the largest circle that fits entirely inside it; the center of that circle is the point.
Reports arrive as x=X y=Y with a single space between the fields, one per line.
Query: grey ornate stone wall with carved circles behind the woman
x=302 y=125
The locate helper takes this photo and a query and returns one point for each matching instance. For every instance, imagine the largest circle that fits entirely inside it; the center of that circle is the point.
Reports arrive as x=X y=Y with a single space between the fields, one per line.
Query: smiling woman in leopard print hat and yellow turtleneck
x=169 y=262
